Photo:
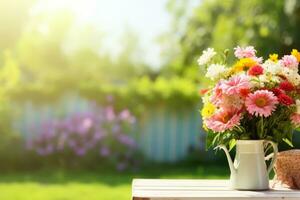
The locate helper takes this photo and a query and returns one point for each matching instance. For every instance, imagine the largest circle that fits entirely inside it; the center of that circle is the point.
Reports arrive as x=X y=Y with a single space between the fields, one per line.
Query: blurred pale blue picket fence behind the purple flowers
x=164 y=134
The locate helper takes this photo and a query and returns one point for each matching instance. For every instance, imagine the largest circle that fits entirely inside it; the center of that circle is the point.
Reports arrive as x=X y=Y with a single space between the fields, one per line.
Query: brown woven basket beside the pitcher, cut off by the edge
x=287 y=169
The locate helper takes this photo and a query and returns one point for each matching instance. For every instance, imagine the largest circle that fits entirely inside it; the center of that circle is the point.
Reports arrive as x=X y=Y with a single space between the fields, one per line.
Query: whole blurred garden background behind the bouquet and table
x=94 y=93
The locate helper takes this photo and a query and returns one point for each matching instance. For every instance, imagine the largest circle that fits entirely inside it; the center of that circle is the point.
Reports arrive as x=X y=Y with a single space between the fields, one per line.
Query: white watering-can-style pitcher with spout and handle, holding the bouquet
x=249 y=170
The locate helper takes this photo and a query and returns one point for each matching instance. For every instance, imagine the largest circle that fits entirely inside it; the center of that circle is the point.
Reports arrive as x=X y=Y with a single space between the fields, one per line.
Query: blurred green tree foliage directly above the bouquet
x=270 y=26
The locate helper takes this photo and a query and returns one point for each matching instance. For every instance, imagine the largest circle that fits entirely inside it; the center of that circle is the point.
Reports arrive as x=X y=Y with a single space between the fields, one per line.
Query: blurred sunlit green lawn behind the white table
x=78 y=185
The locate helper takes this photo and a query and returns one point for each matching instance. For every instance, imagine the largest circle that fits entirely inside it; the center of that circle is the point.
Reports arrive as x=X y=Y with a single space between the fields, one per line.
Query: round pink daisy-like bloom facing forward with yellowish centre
x=261 y=103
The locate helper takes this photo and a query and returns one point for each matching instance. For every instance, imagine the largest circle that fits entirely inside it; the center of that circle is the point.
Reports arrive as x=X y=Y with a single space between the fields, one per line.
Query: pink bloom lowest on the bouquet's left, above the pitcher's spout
x=223 y=120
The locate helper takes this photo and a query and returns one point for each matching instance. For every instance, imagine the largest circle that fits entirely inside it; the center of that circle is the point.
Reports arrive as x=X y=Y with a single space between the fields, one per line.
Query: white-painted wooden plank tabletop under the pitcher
x=162 y=189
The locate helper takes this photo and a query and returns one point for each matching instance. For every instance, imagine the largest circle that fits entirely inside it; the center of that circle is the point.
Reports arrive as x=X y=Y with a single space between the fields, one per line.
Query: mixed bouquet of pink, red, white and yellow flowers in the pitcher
x=251 y=99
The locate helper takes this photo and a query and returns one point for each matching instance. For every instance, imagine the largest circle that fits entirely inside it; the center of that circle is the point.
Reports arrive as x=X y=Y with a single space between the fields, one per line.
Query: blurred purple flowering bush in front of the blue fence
x=100 y=131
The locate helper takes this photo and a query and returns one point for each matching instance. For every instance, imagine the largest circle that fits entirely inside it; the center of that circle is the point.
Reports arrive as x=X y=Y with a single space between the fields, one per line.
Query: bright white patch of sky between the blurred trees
x=148 y=18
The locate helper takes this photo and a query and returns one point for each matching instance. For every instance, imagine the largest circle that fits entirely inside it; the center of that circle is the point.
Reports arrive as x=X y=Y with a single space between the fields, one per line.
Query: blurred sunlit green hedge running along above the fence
x=138 y=92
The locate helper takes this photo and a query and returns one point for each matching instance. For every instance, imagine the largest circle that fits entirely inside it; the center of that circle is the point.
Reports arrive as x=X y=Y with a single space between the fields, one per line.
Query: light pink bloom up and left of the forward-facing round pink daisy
x=235 y=85
